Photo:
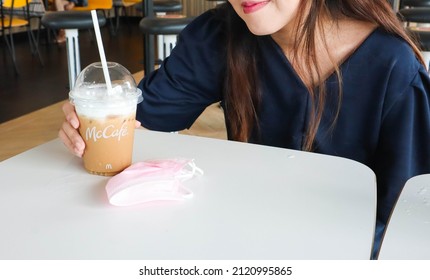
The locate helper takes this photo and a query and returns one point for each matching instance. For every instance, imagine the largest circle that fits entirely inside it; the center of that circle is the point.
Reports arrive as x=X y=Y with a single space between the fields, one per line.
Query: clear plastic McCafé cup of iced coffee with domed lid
x=107 y=119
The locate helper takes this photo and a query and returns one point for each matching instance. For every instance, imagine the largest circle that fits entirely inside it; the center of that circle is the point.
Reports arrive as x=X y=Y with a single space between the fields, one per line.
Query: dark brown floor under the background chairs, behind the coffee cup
x=38 y=86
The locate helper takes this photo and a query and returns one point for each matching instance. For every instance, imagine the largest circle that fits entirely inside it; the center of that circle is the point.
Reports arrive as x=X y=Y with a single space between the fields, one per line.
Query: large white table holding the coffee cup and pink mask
x=253 y=202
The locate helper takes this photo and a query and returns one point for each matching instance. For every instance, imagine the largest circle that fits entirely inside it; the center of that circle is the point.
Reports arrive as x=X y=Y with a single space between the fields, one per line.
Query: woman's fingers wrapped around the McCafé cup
x=69 y=133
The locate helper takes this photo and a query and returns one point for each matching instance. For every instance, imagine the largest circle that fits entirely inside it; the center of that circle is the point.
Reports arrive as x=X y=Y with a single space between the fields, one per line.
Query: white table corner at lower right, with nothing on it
x=407 y=236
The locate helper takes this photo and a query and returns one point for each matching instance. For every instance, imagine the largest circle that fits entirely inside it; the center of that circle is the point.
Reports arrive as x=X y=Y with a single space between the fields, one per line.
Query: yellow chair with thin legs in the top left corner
x=15 y=14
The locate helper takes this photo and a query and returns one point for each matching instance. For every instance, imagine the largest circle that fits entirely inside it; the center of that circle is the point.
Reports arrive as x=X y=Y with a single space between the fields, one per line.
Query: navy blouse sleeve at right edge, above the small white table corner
x=404 y=146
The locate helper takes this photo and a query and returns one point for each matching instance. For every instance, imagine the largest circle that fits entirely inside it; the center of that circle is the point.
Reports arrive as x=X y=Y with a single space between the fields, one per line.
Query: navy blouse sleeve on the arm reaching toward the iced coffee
x=188 y=81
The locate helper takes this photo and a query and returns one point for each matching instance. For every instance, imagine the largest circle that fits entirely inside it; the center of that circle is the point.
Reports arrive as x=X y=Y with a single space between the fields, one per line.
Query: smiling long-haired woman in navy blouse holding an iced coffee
x=339 y=77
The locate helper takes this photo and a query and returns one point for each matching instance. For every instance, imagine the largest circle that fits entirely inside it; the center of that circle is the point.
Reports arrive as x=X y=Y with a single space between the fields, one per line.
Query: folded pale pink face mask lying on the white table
x=152 y=180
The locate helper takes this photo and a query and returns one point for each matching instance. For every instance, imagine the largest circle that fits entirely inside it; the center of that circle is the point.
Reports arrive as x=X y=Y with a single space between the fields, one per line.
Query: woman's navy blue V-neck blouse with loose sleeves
x=384 y=119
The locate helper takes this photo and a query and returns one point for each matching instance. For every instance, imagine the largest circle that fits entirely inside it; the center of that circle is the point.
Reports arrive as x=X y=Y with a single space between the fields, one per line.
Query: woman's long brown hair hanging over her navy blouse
x=242 y=96
